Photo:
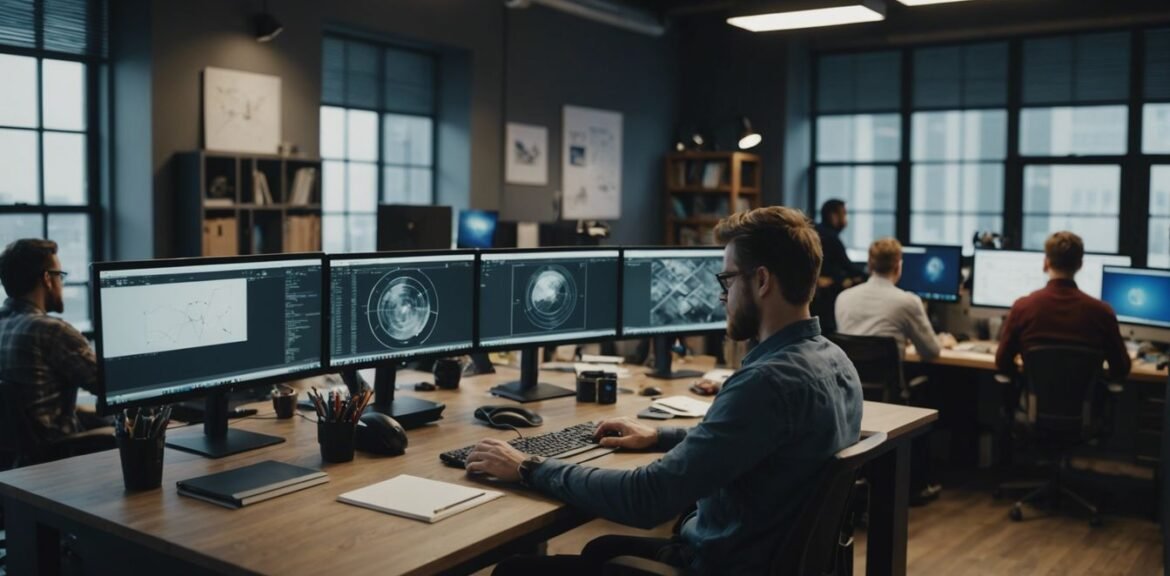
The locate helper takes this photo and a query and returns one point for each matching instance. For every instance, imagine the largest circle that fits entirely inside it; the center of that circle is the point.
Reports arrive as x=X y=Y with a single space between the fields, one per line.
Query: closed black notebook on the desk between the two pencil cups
x=252 y=484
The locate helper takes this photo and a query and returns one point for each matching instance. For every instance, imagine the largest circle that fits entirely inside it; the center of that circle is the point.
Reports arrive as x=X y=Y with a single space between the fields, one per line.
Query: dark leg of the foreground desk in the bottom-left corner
x=31 y=547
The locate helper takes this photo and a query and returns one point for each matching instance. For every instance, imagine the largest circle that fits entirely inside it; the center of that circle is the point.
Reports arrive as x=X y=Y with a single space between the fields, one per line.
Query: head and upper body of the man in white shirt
x=880 y=308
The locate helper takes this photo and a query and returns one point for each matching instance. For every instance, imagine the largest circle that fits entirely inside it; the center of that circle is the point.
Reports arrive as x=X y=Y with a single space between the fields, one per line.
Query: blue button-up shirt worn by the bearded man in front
x=749 y=464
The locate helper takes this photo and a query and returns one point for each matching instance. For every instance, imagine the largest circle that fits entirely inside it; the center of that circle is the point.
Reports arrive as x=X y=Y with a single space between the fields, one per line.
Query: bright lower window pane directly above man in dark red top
x=1085 y=200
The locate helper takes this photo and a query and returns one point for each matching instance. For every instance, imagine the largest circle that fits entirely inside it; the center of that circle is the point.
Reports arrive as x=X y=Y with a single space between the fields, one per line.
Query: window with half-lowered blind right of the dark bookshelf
x=377 y=138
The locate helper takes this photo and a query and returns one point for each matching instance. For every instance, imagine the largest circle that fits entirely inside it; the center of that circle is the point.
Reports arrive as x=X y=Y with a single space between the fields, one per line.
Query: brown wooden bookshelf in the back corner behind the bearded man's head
x=703 y=188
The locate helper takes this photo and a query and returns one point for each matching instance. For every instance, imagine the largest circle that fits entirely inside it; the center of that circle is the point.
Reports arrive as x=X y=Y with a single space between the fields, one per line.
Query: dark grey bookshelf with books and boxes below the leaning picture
x=247 y=204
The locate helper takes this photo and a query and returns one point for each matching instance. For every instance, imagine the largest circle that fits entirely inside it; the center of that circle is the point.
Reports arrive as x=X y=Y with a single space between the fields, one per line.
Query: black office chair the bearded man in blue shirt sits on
x=821 y=541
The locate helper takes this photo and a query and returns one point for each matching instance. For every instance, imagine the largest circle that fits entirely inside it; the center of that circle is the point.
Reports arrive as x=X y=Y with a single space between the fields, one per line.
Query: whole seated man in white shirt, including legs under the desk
x=880 y=308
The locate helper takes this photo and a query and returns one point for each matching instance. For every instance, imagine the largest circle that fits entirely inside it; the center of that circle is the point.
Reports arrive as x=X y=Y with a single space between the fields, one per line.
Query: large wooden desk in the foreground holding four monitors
x=77 y=510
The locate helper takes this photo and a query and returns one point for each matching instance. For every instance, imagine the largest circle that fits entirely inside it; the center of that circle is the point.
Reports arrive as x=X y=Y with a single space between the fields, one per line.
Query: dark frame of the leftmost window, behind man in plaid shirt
x=95 y=64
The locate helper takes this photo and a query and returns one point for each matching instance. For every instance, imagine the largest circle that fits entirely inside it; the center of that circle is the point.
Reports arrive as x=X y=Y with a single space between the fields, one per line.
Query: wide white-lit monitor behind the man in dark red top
x=1003 y=277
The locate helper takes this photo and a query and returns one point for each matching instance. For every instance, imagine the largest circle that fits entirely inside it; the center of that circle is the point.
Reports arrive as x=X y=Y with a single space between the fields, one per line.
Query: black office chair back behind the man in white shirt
x=879 y=364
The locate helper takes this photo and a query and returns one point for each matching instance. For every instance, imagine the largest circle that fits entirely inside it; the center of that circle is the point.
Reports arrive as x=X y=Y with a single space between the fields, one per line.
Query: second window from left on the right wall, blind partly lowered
x=958 y=146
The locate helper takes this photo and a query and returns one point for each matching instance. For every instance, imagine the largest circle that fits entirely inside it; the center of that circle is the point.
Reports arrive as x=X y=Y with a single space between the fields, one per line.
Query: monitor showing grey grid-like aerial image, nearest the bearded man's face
x=671 y=292
